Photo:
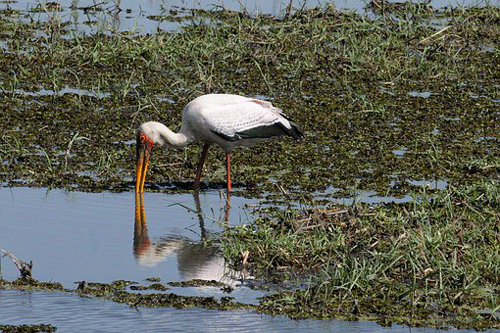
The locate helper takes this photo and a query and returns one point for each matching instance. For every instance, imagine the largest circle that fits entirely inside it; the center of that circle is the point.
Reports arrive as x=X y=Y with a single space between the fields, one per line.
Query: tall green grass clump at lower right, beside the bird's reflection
x=433 y=262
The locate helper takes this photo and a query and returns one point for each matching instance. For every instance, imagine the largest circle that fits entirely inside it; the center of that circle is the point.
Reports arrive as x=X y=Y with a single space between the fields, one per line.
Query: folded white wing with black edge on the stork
x=249 y=119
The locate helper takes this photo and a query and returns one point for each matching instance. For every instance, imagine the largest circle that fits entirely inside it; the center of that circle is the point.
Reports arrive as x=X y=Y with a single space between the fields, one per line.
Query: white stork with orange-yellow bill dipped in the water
x=223 y=119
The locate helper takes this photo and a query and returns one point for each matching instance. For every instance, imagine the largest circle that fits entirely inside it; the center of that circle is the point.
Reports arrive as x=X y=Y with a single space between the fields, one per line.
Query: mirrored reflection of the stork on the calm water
x=195 y=260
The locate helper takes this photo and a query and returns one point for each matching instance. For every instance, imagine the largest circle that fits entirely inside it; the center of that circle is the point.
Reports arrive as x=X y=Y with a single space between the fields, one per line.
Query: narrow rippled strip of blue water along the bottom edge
x=72 y=313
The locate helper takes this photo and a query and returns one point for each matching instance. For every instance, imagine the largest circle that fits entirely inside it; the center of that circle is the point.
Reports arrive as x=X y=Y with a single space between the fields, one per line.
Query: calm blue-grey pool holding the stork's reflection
x=74 y=236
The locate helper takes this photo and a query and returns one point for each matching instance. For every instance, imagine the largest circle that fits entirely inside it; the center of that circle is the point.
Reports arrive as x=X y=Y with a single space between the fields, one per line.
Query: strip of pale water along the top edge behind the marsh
x=90 y=16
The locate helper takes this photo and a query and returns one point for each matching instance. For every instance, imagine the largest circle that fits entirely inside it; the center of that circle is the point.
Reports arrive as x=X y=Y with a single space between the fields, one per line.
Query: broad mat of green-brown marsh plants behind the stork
x=72 y=105
